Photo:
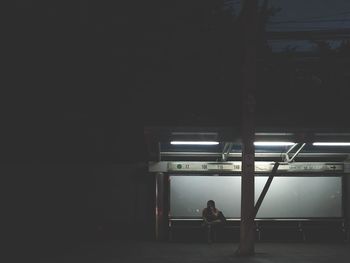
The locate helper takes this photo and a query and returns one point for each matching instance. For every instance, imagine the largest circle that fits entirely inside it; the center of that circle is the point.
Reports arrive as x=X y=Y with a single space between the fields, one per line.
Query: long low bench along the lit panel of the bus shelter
x=270 y=229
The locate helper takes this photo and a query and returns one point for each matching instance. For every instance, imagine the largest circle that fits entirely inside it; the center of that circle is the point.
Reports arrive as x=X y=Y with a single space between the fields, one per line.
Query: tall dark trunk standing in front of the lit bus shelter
x=247 y=234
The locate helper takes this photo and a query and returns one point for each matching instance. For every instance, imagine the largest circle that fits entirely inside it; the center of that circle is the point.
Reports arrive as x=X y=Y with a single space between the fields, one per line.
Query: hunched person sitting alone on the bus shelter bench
x=213 y=218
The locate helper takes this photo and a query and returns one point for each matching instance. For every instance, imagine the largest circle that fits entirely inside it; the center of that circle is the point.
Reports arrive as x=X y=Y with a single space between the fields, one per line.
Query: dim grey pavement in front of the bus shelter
x=201 y=252
